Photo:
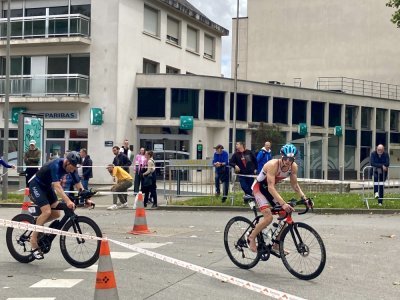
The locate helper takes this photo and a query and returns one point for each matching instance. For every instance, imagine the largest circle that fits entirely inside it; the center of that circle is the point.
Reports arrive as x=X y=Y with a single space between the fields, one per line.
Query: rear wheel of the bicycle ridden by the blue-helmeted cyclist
x=235 y=240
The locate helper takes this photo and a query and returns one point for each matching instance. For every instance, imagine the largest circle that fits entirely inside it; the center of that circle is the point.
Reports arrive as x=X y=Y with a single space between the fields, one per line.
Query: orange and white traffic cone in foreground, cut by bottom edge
x=106 y=286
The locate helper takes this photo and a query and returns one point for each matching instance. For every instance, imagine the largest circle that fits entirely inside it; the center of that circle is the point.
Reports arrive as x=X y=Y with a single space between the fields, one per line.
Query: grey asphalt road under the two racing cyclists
x=362 y=260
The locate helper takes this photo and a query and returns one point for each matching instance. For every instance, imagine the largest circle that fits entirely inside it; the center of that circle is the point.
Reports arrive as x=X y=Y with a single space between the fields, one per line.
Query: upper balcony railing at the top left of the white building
x=46 y=26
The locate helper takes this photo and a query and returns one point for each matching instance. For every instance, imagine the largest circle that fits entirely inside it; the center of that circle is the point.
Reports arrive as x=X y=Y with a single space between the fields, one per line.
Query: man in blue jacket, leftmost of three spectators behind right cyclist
x=221 y=164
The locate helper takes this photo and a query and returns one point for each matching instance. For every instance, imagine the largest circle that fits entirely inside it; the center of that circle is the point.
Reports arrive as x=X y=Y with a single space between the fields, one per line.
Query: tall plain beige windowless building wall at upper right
x=296 y=42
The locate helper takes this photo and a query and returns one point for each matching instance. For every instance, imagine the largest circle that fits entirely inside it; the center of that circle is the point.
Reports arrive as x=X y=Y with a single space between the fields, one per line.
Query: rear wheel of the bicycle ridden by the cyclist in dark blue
x=18 y=240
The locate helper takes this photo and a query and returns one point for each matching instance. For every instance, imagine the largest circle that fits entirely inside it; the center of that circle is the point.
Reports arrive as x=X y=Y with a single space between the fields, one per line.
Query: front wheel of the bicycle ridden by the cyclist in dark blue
x=81 y=252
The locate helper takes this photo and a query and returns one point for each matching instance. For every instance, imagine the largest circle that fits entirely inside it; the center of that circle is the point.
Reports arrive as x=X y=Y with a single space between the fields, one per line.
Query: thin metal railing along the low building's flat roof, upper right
x=359 y=87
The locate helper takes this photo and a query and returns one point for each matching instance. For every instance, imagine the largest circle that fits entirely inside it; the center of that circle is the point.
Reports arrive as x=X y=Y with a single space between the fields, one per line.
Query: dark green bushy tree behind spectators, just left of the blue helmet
x=265 y=132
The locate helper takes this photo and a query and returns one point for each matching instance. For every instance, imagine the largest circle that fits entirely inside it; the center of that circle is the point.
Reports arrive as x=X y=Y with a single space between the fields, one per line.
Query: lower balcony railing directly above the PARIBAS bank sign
x=47 y=85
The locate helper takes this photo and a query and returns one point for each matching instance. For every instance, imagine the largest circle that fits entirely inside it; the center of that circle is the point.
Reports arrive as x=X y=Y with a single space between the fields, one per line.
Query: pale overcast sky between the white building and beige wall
x=222 y=12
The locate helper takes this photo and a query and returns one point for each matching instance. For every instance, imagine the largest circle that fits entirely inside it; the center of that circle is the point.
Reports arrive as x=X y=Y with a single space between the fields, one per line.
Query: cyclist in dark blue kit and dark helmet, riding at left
x=45 y=186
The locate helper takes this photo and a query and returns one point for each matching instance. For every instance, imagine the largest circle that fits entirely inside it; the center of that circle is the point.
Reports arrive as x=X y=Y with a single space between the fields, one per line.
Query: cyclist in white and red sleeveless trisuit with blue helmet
x=266 y=194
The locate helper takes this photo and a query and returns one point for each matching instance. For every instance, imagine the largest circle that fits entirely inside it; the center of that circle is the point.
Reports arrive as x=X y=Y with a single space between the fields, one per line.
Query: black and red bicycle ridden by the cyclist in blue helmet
x=301 y=249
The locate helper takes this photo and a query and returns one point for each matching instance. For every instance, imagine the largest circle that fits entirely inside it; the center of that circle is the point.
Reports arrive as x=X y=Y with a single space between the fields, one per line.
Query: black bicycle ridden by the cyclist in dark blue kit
x=79 y=252
